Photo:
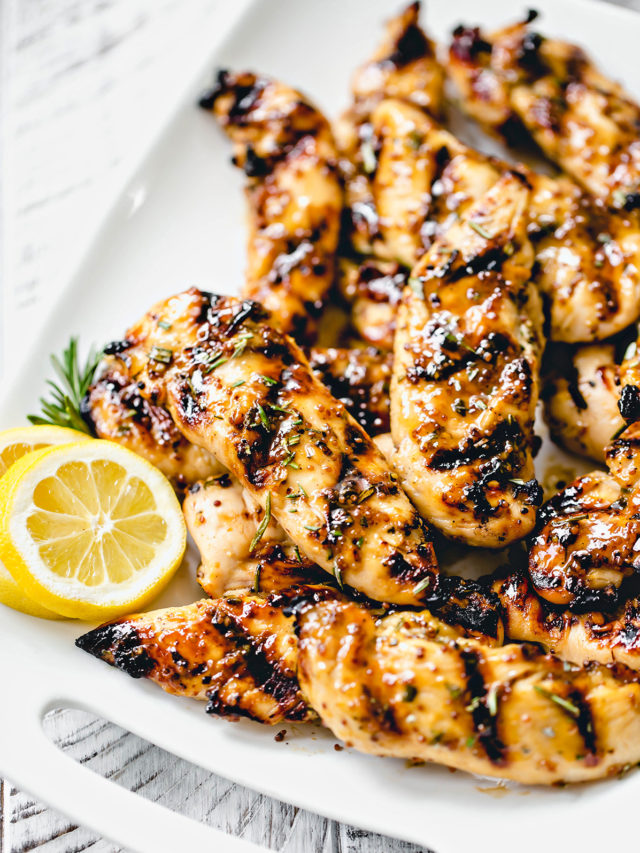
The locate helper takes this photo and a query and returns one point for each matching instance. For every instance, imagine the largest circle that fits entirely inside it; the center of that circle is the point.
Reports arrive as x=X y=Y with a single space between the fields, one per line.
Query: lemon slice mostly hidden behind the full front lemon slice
x=14 y=444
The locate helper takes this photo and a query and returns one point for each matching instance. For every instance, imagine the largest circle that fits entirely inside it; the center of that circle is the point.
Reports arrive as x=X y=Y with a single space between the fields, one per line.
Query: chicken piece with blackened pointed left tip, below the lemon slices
x=239 y=654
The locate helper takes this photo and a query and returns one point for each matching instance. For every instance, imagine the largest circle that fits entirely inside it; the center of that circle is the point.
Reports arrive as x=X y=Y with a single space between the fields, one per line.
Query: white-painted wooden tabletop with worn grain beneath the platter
x=84 y=82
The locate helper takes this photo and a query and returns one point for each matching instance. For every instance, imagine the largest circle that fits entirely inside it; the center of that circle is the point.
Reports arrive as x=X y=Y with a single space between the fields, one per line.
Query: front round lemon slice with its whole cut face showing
x=89 y=530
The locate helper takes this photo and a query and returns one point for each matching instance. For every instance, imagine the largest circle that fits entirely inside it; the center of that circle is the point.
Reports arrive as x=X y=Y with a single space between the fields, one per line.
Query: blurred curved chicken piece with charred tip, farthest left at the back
x=286 y=148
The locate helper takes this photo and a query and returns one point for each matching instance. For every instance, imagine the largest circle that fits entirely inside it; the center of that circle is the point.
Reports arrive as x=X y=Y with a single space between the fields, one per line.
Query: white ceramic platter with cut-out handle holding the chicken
x=178 y=223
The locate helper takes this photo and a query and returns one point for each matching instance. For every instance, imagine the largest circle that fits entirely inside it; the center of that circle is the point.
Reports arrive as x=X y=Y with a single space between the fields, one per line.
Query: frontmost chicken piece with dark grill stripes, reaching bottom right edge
x=404 y=687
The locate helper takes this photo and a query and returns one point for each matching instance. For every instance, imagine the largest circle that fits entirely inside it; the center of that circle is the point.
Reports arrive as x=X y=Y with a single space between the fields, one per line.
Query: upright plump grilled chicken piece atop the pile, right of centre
x=465 y=381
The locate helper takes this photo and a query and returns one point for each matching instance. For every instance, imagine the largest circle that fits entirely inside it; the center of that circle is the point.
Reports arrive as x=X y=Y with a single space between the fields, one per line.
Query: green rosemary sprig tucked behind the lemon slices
x=74 y=379
